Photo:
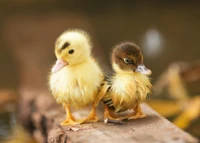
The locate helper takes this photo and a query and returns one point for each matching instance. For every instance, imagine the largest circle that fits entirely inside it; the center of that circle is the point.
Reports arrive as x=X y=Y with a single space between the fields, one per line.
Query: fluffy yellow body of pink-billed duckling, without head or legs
x=76 y=85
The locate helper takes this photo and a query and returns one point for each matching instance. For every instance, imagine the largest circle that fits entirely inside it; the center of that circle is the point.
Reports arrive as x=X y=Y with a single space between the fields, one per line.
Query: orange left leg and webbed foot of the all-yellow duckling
x=70 y=120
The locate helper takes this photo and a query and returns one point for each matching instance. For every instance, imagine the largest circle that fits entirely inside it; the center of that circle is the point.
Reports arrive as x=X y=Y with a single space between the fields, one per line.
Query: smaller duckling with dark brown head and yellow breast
x=129 y=86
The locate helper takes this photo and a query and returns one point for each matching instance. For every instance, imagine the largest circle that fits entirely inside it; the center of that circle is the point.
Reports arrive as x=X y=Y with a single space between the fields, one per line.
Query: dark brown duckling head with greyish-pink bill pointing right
x=127 y=57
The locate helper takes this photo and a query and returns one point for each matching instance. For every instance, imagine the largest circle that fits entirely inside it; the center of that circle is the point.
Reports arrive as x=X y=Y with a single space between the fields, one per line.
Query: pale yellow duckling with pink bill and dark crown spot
x=76 y=77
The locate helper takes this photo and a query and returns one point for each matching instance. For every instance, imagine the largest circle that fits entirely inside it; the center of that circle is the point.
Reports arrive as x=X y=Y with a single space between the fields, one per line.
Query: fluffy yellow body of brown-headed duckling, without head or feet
x=129 y=89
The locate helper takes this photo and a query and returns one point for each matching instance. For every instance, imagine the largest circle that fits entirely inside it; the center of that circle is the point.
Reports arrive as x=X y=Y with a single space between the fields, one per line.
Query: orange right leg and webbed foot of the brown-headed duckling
x=137 y=114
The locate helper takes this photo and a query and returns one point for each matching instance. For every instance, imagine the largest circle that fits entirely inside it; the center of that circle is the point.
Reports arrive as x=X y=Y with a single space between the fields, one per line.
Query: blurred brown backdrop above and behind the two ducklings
x=167 y=32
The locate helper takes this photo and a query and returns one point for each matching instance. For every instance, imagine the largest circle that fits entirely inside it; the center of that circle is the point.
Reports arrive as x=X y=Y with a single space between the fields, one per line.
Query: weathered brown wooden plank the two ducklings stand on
x=41 y=115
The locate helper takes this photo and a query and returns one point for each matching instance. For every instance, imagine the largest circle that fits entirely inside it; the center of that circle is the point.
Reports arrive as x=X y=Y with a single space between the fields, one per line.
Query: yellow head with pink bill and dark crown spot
x=71 y=48
